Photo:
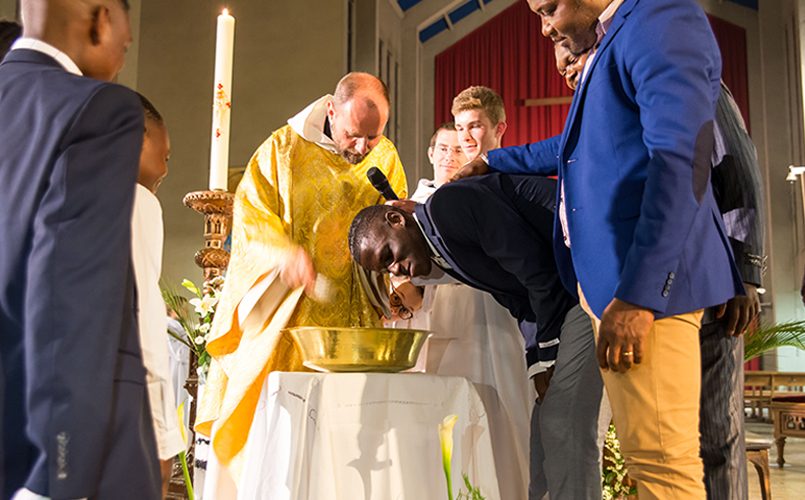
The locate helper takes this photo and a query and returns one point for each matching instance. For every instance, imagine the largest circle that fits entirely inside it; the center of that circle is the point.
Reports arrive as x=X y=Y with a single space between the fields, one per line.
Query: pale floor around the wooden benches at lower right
x=787 y=483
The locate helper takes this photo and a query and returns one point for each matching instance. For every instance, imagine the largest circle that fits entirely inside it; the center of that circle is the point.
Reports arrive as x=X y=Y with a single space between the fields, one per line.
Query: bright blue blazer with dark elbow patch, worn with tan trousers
x=635 y=160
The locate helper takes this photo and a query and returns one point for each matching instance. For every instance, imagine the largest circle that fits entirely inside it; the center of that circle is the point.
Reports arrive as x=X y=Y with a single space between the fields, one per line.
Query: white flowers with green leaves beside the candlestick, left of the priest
x=195 y=322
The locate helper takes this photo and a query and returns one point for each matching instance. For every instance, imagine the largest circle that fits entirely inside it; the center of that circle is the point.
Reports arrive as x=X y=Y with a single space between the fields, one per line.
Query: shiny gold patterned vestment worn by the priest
x=293 y=193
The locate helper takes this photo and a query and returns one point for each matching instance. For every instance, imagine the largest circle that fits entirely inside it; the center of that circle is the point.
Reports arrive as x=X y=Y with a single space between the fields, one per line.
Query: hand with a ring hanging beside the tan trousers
x=620 y=336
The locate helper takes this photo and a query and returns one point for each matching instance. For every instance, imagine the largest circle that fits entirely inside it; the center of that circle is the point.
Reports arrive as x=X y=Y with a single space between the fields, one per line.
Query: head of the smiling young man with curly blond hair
x=480 y=120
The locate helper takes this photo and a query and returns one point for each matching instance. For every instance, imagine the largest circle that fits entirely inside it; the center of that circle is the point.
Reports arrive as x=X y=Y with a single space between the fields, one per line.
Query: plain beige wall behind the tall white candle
x=287 y=53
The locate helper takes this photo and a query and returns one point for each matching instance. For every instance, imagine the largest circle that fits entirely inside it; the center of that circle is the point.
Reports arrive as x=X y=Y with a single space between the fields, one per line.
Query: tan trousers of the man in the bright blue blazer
x=655 y=408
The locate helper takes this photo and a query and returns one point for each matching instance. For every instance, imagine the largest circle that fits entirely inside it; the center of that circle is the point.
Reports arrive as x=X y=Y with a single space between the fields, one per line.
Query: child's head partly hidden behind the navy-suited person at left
x=156 y=148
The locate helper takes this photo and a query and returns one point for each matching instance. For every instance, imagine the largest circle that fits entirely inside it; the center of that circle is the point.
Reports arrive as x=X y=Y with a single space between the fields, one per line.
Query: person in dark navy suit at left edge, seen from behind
x=76 y=422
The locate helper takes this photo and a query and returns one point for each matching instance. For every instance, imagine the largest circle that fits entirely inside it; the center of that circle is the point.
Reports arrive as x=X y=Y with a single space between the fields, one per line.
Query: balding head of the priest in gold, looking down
x=358 y=114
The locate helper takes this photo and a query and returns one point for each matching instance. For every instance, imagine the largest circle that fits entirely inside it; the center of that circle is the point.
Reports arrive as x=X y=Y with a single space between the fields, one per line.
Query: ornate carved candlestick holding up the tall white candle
x=216 y=206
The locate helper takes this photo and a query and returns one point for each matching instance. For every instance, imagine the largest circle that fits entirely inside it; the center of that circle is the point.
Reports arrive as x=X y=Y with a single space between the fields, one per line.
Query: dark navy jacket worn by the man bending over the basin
x=495 y=231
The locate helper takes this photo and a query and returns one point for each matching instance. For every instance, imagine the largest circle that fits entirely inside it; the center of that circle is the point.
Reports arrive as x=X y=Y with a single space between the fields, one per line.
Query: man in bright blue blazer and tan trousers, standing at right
x=637 y=224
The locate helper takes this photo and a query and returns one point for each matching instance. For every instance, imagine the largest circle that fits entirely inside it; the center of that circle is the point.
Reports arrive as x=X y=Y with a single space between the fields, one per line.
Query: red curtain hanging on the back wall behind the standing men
x=510 y=55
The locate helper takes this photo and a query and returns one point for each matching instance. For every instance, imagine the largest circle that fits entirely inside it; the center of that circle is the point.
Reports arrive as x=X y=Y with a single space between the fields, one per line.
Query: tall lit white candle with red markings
x=222 y=101
